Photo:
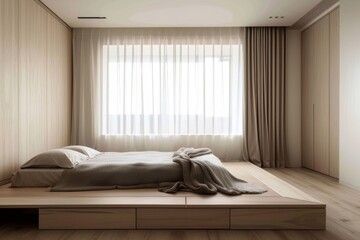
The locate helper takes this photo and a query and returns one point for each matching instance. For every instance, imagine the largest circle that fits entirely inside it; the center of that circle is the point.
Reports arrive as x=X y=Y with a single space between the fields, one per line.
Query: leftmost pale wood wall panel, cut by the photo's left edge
x=8 y=87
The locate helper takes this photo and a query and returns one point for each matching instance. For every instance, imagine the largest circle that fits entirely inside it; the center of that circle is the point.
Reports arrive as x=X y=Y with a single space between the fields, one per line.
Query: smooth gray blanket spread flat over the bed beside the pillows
x=104 y=176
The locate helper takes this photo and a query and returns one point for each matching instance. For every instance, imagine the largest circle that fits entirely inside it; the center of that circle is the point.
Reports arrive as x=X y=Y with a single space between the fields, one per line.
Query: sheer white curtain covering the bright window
x=159 y=89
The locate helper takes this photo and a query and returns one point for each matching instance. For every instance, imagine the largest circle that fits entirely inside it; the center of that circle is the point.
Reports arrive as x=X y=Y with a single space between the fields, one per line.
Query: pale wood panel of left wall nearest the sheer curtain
x=58 y=83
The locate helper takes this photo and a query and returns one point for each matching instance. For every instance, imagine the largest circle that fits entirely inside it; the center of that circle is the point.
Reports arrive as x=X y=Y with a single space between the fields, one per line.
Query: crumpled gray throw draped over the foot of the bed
x=205 y=177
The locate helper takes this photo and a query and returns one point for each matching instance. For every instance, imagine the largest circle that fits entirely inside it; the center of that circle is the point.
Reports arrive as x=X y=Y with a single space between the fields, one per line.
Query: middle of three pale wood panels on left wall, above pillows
x=32 y=80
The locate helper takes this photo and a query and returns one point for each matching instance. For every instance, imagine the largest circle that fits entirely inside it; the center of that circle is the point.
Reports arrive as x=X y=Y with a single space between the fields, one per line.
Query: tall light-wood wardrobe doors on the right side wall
x=320 y=95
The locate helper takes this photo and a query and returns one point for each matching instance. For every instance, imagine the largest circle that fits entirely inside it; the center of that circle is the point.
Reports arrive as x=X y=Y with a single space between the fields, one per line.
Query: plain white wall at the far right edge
x=350 y=93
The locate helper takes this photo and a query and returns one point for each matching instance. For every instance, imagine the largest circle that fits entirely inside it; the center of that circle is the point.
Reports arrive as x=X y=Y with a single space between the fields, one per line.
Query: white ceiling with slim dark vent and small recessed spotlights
x=180 y=13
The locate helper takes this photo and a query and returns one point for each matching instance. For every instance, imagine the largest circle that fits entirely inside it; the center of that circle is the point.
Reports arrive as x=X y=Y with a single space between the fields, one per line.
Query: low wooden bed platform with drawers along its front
x=282 y=207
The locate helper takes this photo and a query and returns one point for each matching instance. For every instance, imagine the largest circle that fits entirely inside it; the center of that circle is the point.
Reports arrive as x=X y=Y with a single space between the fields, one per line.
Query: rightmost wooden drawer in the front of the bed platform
x=278 y=218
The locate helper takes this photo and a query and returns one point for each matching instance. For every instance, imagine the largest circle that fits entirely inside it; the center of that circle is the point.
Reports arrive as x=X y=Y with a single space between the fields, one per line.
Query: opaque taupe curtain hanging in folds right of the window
x=264 y=110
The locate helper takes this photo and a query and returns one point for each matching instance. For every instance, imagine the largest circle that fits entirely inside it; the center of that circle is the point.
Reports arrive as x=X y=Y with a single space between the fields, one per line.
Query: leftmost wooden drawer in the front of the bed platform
x=83 y=218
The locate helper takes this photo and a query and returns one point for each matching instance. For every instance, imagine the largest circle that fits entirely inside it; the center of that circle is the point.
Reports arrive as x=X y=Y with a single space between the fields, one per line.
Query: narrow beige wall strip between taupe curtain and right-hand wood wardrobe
x=293 y=97
